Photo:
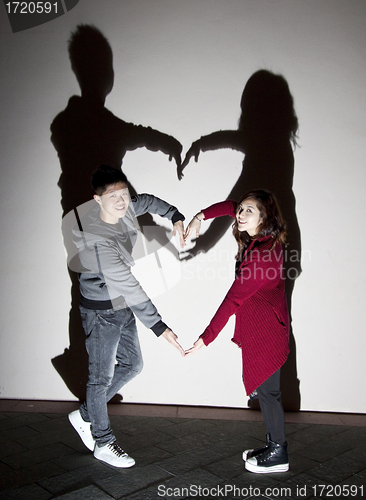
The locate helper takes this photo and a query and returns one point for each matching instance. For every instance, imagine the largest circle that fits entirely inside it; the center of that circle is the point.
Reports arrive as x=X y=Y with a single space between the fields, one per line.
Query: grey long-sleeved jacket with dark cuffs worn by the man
x=105 y=252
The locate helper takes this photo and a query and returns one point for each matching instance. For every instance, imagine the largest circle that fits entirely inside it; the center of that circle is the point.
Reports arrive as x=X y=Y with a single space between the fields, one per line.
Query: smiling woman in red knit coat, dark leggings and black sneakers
x=257 y=298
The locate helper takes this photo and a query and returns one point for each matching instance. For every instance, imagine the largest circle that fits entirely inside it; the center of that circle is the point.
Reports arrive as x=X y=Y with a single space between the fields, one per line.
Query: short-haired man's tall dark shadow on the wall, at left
x=86 y=135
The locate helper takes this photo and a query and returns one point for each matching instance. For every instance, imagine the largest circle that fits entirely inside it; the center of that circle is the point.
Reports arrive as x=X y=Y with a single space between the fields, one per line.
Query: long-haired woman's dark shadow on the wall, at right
x=266 y=134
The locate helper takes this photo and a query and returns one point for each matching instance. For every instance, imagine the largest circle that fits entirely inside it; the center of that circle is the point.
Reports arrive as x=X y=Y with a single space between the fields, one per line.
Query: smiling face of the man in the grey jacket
x=113 y=203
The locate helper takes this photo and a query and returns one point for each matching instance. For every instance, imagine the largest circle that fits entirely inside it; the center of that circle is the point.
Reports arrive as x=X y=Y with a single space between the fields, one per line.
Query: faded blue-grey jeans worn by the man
x=115 y=358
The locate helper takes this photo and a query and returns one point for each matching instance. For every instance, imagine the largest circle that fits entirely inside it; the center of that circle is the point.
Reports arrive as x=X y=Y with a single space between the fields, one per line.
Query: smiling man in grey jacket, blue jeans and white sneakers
x=110 y=298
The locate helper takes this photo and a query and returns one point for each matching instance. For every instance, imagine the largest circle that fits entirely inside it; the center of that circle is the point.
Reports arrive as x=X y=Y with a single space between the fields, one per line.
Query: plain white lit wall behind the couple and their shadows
x=180 y=67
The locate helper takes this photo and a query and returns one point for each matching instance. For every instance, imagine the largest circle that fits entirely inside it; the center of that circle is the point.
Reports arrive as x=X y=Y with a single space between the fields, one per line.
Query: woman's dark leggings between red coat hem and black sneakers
x=269 y=396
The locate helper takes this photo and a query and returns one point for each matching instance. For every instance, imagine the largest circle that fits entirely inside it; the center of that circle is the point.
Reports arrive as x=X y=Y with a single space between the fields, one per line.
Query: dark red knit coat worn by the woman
x=257 y=298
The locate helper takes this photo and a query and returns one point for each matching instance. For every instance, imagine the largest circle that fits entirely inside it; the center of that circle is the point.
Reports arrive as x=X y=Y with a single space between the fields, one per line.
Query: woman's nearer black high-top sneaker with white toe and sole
x=273 y=459
